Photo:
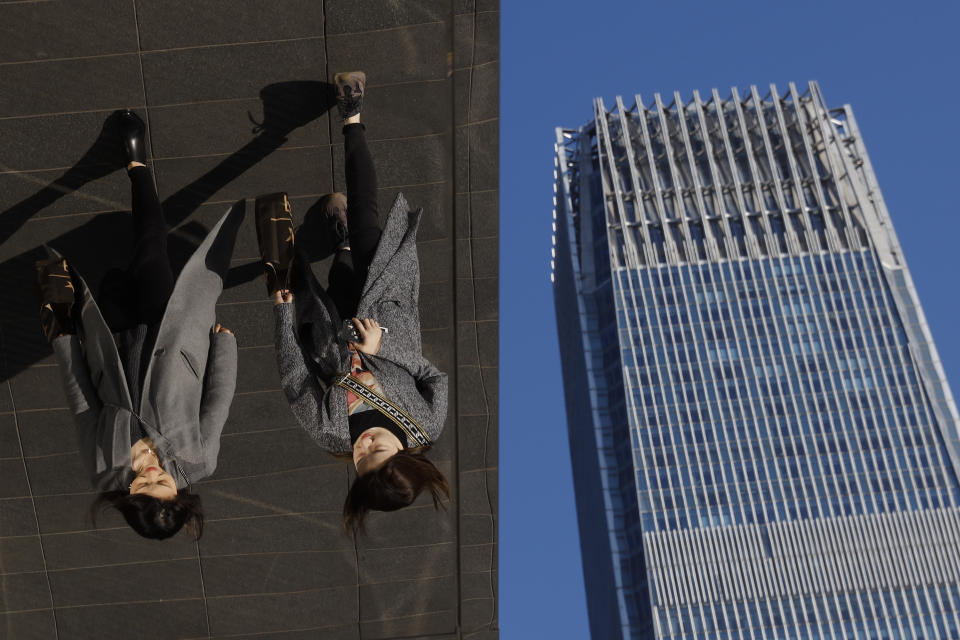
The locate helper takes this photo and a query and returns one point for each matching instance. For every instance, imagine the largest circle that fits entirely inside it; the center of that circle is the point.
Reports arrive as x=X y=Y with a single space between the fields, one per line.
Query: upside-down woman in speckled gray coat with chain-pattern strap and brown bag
x=350 y=357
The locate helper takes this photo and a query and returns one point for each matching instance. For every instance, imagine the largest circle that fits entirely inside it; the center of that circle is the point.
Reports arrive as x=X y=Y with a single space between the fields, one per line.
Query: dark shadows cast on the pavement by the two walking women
x=286 y=106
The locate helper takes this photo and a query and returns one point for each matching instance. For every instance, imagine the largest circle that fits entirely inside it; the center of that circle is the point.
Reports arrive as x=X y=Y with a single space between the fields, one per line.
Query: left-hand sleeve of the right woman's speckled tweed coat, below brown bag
x=308 y=401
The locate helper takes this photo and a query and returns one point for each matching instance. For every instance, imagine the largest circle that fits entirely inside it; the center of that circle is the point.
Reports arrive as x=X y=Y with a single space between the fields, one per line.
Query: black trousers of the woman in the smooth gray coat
x=139 y=294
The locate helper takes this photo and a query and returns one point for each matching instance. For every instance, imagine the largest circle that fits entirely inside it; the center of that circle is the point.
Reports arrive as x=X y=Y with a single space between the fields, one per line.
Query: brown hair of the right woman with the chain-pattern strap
x=393 y=486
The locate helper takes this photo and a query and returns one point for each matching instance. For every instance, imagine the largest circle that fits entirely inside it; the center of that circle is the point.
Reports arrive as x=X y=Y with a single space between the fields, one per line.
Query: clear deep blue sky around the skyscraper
x=895 y=63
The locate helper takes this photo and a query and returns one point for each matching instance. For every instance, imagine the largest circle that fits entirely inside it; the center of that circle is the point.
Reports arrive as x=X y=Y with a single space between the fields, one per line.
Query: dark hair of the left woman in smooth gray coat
x=152 y=517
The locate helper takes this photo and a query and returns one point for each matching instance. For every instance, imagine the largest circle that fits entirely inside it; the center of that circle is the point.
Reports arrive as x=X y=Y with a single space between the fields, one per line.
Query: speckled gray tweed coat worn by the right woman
x=310 y=353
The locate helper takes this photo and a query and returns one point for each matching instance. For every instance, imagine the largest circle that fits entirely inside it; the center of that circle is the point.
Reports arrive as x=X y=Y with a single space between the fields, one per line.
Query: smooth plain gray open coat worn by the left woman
x=189 y=383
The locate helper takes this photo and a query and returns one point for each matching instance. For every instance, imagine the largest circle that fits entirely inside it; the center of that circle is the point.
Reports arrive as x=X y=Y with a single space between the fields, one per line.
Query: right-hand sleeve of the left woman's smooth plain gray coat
x=220 y=381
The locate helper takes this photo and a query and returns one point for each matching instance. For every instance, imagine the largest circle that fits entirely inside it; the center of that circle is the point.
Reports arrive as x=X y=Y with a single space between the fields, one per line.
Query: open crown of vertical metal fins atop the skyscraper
x=723 y=179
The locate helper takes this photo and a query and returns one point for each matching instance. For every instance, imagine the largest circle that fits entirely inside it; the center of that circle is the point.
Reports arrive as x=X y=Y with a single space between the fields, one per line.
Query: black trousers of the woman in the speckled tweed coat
x=349 y=270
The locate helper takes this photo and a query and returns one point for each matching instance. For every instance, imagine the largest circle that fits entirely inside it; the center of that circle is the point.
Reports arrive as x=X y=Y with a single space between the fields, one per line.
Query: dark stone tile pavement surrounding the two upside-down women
x=234 y=95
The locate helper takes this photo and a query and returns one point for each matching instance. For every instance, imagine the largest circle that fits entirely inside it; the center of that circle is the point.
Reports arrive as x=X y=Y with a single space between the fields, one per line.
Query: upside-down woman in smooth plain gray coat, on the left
x=148 y=375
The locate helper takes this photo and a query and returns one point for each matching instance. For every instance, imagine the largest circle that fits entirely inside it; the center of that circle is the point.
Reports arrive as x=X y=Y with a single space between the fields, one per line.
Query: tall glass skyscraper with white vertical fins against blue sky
x=764 y=443
